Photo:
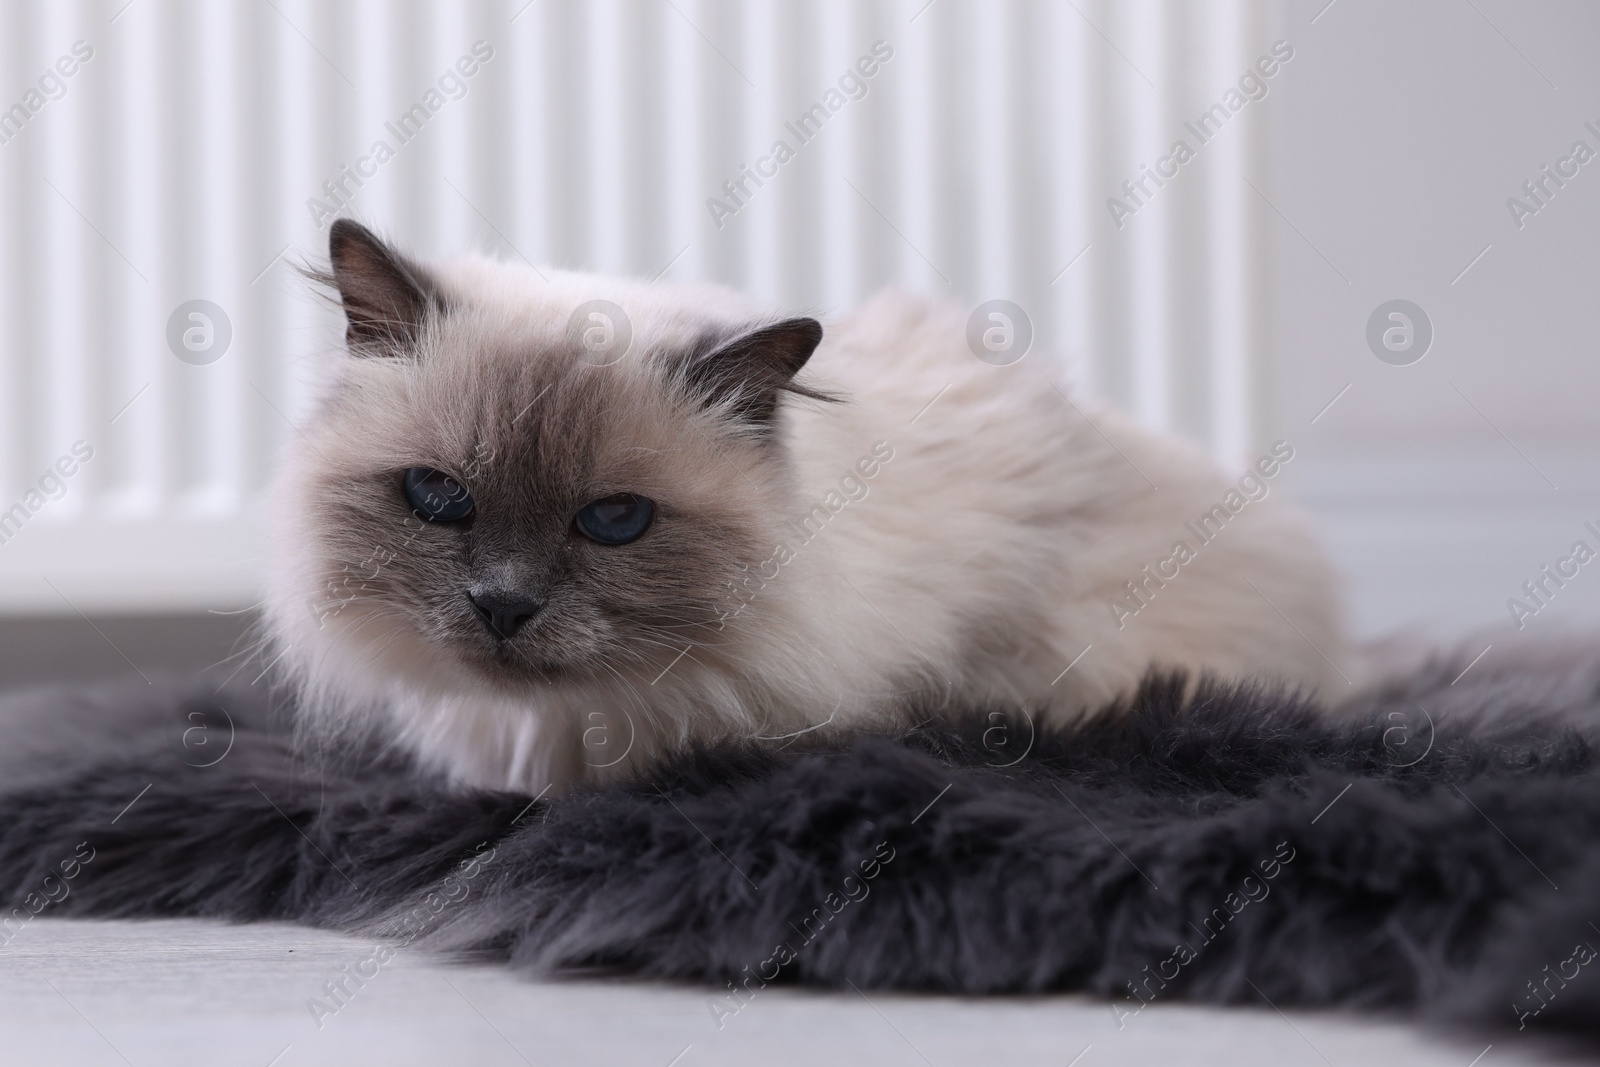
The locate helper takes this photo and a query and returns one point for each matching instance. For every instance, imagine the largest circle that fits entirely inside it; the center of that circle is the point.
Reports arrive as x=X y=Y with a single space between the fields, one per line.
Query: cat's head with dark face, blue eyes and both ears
x=490 y=497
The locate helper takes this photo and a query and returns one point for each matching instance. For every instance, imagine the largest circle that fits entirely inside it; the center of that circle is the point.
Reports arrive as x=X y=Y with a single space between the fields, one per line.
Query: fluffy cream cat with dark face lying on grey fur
x=545 y=526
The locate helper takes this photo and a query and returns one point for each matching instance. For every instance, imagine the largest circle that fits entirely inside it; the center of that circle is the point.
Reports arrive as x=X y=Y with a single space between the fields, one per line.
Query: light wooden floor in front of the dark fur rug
x=191 y=993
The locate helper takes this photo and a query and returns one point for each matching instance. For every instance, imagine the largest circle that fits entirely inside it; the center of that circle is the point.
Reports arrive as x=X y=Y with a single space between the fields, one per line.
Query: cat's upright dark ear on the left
x=386 y=297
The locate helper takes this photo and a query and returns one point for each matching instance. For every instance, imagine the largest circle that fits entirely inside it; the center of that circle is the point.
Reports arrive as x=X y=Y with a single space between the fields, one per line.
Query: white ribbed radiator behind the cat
x=183 y=156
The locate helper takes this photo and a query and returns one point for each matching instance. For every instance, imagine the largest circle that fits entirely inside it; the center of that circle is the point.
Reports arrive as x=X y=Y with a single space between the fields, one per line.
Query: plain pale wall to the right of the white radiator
x=1404 y=132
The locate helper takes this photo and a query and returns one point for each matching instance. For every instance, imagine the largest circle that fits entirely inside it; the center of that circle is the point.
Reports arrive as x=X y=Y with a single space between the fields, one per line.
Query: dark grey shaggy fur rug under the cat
x=1431 y=845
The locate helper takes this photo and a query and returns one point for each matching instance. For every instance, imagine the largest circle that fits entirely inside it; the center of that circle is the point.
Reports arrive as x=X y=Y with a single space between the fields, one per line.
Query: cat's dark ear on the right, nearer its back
x=750 y=372
